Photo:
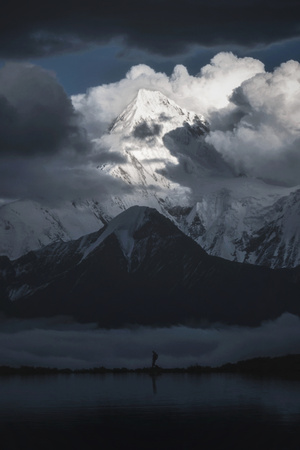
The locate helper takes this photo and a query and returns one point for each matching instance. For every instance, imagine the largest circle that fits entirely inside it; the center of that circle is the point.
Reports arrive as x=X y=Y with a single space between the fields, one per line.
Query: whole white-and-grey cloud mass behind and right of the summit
x=253 y=114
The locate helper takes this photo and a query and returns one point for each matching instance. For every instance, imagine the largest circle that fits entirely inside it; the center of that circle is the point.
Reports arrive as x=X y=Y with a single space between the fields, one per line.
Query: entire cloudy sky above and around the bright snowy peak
x=68 y=70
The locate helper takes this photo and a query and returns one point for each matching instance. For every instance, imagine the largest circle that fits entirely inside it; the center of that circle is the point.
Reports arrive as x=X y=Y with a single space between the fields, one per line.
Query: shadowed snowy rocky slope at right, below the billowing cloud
x=249 y=221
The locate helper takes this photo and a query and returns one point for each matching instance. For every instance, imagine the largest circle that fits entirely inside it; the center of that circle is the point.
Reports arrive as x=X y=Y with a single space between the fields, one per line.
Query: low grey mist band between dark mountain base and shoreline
x=57 y=343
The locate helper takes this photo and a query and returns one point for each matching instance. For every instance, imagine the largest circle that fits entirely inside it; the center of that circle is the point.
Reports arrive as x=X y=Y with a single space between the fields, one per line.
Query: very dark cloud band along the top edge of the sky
x=161 y=26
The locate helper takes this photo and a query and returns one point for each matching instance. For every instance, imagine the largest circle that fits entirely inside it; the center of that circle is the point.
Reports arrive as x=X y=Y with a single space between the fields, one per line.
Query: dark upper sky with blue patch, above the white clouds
x=95 y=42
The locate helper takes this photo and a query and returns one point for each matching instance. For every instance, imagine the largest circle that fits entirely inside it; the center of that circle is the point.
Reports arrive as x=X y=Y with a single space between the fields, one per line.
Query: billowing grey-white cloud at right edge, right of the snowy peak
x=263 y=117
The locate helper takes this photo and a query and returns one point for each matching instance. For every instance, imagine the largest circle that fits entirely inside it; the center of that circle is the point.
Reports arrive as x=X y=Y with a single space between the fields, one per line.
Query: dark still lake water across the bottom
x=137 y=411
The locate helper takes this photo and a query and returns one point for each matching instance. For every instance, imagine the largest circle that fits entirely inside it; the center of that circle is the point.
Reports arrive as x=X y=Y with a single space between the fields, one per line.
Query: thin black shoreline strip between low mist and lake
x=283 y=366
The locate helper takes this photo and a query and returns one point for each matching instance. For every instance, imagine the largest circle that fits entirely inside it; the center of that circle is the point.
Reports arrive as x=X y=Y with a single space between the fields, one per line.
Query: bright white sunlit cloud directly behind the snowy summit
x=203 y=94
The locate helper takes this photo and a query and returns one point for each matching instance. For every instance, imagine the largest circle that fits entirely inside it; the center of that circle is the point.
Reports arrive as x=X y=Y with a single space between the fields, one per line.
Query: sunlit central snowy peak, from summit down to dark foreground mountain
x=164 y=150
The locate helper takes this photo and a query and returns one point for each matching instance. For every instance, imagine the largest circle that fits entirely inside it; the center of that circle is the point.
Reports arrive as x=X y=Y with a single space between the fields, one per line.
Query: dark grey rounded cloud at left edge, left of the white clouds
x=36 y=115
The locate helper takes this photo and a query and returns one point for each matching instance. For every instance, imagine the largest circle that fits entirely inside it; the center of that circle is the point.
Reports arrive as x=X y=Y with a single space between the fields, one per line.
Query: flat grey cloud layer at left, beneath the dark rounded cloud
x=54 y=181
